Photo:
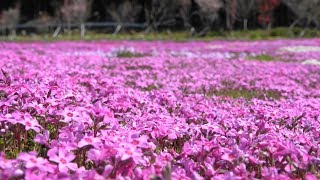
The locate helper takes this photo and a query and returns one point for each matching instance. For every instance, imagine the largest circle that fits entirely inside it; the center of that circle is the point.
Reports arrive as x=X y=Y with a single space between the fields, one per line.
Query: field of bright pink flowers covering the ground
x=160 y=110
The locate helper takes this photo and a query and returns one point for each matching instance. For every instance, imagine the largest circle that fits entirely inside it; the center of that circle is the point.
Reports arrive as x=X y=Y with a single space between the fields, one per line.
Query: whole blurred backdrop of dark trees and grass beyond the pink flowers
x=194 y=18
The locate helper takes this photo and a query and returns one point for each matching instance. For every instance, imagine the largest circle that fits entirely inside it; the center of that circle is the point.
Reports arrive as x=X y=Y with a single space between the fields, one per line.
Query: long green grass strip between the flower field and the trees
x=259 y=34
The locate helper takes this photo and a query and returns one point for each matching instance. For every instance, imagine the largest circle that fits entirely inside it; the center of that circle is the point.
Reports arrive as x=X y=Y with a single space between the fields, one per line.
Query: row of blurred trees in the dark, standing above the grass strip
x=200 y=16
